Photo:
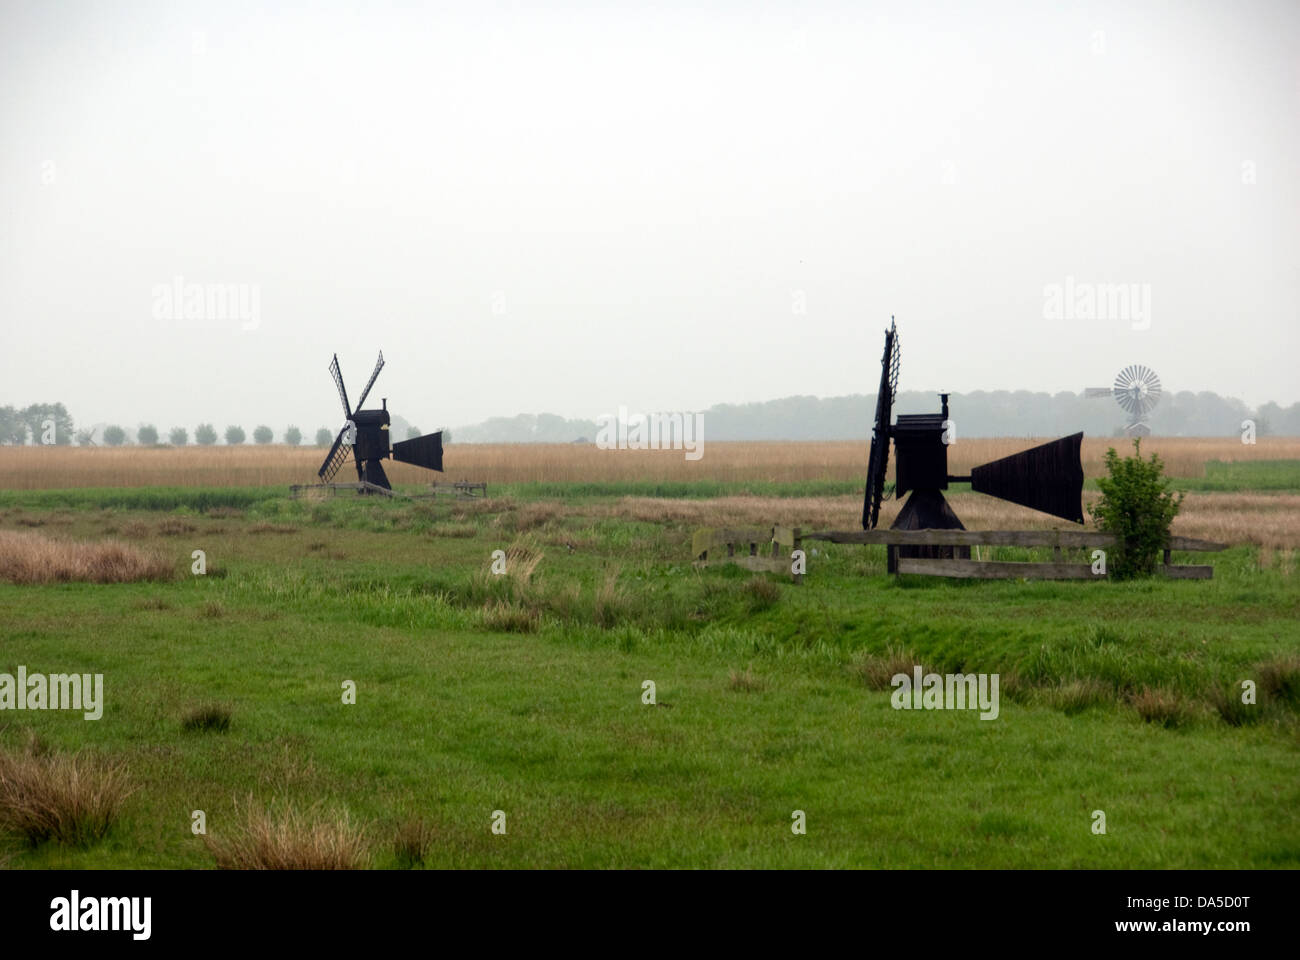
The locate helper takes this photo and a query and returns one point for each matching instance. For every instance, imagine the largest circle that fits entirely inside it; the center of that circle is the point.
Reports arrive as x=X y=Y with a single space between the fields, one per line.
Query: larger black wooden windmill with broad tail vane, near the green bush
x=1047 y=478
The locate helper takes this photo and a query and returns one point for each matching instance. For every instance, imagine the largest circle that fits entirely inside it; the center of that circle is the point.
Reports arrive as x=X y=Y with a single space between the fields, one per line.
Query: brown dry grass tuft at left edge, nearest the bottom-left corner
x=68 y=799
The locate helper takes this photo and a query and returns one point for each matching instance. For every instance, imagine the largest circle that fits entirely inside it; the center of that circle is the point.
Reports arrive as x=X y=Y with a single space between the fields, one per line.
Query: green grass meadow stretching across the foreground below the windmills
x=523 y=693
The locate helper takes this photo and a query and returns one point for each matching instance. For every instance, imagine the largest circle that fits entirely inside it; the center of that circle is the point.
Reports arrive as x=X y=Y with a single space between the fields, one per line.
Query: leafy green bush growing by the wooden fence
x=1138 y=507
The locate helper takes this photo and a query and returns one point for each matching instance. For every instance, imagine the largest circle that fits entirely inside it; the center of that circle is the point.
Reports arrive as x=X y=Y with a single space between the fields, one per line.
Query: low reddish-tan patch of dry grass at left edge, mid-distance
x=28 y=557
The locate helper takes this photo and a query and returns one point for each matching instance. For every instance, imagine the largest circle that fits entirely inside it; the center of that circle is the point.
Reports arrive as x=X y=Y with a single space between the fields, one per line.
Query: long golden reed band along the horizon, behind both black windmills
x=49 y=468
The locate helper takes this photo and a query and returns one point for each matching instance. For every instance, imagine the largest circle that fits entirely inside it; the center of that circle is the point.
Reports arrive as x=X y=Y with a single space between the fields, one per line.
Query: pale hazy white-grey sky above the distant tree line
x=573 y=207
